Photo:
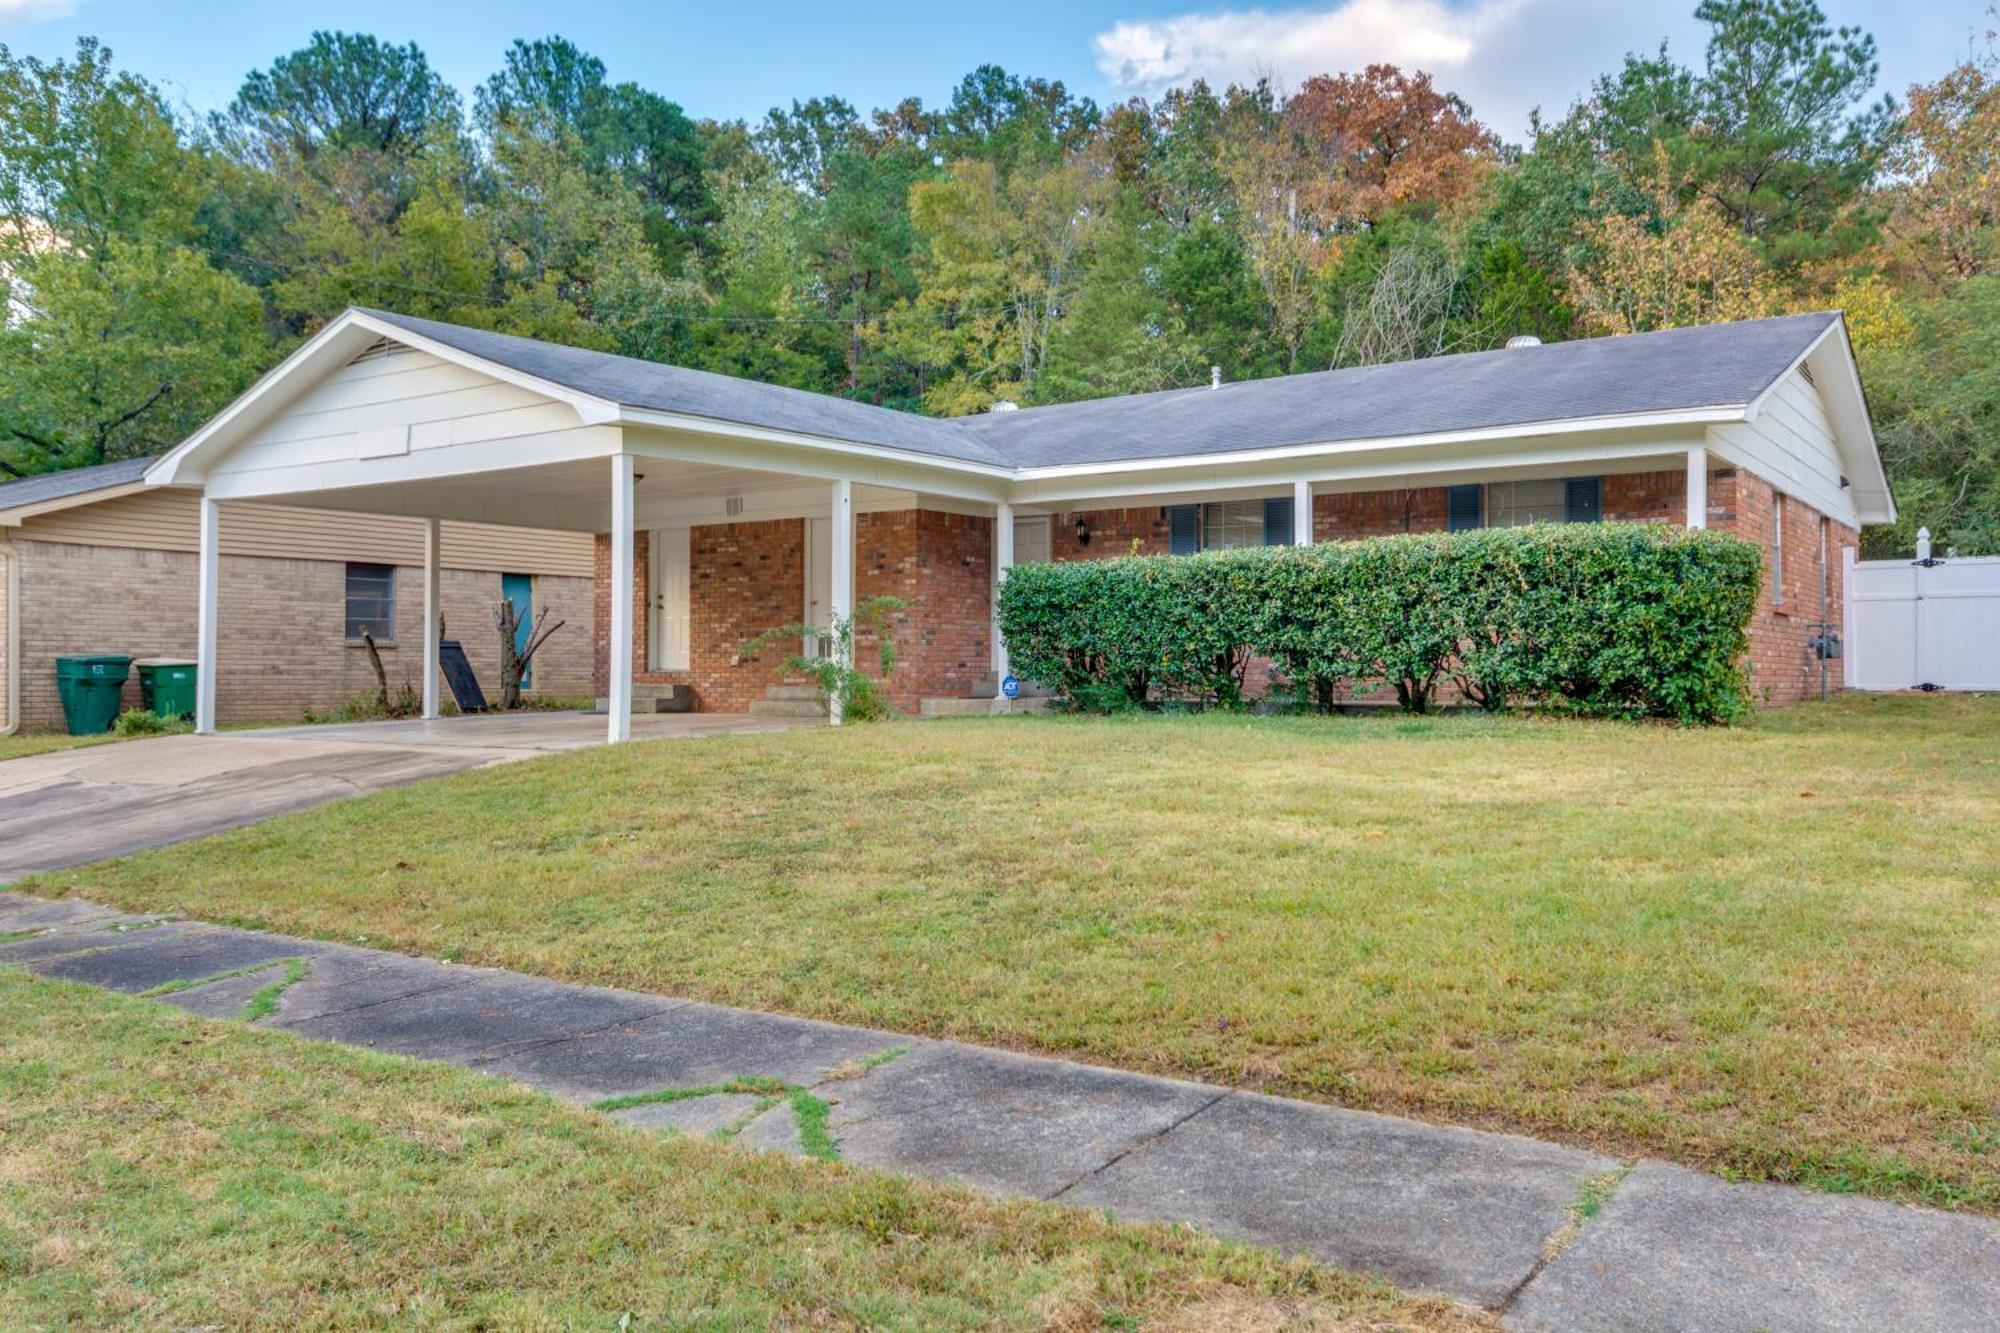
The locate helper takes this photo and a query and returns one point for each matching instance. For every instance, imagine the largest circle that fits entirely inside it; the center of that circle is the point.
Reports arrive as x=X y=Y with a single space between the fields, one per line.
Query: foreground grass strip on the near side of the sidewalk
x=161 y=1172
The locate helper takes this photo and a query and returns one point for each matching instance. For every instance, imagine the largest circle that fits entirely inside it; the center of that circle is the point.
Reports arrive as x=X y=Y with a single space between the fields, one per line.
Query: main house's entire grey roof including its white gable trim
x=1683 y=377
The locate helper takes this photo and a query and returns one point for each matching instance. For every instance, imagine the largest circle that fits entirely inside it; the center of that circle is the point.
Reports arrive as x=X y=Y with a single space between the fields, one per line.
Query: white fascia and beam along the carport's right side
x=699 y=439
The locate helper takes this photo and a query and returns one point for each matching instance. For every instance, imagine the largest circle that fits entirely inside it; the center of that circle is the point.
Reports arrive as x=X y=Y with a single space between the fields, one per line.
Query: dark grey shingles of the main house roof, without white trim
x=1681 y=369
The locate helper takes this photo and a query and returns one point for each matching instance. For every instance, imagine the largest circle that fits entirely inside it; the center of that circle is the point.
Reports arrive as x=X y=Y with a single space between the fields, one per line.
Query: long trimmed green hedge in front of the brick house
x=1611 y=619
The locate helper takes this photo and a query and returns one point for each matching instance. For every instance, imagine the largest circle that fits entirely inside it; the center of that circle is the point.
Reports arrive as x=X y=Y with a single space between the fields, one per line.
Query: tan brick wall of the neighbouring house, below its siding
x=283 y=633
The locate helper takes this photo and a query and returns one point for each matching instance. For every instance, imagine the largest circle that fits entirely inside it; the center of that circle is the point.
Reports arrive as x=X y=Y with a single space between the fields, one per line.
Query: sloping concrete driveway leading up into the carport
x=113 y=800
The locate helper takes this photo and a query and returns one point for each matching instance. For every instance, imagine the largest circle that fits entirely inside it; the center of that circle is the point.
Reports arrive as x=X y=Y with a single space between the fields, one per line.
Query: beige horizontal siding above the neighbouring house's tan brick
x=169 y=519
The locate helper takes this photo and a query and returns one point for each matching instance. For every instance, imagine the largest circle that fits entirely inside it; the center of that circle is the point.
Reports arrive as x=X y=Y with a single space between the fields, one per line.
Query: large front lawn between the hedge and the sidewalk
x=1771 y=950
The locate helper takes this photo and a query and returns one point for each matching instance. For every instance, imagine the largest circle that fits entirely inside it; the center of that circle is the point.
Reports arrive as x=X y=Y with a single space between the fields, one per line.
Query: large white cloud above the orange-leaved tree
x=1505 y=57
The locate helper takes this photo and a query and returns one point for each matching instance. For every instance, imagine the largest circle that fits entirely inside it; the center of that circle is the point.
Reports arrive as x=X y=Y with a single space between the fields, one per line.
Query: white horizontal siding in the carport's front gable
x=397 y=405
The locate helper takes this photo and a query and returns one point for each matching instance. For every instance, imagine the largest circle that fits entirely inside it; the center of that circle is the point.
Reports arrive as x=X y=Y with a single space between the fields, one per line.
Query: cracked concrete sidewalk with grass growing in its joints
x=1489 y=1220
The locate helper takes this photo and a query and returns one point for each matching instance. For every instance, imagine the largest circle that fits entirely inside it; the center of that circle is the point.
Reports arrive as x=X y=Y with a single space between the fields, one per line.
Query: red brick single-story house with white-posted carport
x=723 y=507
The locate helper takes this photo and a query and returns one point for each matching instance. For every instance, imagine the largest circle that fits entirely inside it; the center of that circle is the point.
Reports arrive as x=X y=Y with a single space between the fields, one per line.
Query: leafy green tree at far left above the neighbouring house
x=121 y=335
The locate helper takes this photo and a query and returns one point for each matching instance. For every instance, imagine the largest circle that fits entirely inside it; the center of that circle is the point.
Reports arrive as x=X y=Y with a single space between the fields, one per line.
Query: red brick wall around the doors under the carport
x=747 y=577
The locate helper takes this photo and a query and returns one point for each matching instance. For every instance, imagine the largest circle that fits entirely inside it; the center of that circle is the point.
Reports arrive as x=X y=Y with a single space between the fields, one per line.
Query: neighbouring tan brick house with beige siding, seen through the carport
x=97 y=561
